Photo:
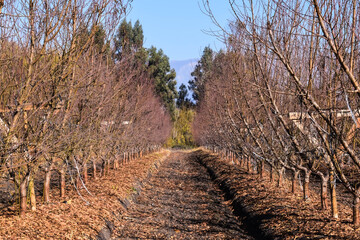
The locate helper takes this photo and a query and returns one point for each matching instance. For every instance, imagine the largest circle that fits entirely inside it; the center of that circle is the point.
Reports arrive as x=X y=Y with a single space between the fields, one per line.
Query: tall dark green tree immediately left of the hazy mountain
x=164 y=77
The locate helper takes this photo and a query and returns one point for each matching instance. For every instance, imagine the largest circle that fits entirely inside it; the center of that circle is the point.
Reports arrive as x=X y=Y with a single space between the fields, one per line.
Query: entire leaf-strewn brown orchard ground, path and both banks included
x=192 y=195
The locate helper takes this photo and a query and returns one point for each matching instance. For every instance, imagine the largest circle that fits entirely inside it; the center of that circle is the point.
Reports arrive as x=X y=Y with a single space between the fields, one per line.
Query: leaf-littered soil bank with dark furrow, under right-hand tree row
x=273 y=210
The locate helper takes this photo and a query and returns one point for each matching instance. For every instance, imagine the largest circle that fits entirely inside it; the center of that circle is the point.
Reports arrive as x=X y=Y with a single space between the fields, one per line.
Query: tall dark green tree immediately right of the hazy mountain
x=200 y=73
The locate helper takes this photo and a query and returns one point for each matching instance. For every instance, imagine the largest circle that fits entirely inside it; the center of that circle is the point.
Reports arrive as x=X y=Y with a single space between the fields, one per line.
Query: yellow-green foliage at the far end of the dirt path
x=182 y=130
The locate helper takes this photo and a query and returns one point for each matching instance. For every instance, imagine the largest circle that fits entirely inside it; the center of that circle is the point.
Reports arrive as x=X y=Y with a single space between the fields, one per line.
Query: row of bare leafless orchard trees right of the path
x=286 y=93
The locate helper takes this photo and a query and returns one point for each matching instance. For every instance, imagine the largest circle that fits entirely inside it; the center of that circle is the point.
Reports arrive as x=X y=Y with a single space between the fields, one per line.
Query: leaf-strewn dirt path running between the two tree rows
x=180 y=202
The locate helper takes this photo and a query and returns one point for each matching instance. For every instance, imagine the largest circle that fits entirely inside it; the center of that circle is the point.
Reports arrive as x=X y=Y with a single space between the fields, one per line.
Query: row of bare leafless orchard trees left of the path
x=68 y=102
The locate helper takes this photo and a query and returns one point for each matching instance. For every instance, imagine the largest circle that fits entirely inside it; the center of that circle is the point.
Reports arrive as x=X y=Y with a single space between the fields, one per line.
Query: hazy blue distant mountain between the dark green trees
x=183 y=70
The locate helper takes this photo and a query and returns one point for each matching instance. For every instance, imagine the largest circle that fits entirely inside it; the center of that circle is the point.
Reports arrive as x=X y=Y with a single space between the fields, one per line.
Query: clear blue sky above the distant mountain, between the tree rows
x=177 y=26
